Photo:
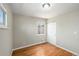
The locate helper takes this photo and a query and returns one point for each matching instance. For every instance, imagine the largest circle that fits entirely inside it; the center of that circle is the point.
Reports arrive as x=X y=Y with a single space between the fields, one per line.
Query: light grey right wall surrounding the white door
x=67 y=30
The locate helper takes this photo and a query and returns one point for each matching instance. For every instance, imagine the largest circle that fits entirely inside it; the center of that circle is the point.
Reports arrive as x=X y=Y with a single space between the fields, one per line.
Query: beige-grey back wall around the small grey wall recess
x=25 y=31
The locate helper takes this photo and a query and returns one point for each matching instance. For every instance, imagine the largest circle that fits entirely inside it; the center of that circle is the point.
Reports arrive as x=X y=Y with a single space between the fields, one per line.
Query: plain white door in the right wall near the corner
x=51 y=32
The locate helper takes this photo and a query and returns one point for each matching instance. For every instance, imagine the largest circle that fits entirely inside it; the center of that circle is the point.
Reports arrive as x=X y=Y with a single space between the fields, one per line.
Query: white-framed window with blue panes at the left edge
x=3 y=17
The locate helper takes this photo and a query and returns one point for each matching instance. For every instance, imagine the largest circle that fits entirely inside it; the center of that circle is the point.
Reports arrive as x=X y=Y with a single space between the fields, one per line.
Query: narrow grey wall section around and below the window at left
x=6 y=35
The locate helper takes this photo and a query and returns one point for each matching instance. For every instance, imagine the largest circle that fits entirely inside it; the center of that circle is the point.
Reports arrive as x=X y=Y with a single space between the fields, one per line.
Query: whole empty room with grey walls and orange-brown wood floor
x=39 y=29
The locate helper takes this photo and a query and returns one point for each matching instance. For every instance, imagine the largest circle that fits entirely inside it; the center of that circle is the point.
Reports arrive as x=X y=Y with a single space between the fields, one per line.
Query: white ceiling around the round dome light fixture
x=36 y=9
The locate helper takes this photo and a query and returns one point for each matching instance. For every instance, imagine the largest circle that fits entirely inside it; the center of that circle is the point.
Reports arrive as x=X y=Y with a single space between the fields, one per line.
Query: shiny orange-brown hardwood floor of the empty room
x=44 y=49
